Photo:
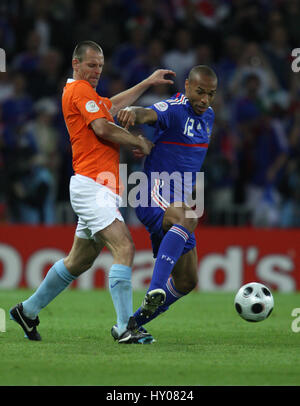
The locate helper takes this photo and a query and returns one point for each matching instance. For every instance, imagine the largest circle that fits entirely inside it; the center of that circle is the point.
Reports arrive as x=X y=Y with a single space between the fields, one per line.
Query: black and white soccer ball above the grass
x=254 y=302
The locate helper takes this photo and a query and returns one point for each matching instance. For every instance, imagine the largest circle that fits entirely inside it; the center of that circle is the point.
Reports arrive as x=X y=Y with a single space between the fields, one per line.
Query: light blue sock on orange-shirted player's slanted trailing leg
x=56 y=280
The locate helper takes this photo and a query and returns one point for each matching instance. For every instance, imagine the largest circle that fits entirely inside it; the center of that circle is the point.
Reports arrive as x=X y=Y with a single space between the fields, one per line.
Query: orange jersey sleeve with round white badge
x=86 y=100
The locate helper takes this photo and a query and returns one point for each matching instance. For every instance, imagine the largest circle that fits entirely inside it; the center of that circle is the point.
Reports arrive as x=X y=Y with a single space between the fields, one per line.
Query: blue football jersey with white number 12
x=181 y=140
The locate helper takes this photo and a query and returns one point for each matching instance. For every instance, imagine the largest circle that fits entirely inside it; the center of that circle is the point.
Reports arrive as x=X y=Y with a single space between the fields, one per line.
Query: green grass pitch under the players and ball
x=201 y=340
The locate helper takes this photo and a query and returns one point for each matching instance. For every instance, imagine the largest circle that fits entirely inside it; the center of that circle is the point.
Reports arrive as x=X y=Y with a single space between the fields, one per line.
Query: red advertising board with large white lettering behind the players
x=227 y=257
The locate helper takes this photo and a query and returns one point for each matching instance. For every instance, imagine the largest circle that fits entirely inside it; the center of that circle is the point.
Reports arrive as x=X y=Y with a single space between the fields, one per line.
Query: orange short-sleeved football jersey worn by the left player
x=98 y=159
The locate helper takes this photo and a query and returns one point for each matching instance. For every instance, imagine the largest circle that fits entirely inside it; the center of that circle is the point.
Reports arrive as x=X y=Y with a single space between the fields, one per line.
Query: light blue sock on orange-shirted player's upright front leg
x=121 y=292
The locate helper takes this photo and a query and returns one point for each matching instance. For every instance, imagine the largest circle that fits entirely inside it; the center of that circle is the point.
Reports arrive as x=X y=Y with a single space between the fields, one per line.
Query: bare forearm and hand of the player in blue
x=136 y=115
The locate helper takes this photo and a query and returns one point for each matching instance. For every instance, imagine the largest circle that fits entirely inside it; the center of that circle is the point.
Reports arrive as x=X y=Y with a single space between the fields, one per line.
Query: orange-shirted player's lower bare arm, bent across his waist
x=108 y=131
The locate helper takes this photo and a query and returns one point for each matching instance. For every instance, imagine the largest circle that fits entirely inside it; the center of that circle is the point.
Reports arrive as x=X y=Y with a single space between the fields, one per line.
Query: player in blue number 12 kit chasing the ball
x=183 y=127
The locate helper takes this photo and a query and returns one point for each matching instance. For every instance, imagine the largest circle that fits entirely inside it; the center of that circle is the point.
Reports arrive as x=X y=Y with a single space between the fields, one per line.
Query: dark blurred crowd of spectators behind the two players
x=252 y=169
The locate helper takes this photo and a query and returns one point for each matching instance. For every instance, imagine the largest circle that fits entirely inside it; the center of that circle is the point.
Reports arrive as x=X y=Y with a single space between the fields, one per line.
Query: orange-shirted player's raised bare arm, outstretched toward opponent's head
x=129 y=96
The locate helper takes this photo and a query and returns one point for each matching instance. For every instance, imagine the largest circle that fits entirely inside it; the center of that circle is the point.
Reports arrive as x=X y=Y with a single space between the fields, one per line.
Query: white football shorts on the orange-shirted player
x=95 y=205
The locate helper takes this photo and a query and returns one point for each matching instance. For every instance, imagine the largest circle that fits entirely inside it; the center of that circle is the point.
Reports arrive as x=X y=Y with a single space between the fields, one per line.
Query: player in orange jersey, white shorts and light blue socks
x=95 y=193
